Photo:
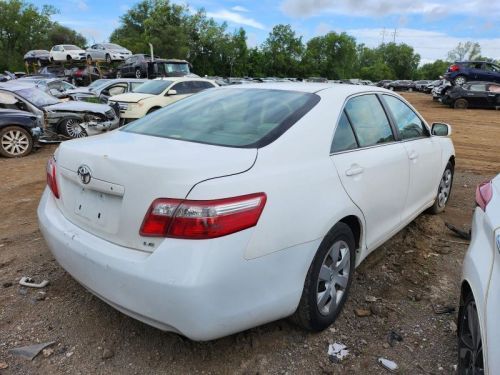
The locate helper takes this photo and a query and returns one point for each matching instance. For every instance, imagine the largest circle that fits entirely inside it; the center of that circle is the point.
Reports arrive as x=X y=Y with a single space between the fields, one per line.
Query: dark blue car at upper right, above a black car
x=463 y=71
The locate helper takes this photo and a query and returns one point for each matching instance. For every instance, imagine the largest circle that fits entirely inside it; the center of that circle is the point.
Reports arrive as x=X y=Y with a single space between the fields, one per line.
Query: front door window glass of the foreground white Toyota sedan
x=408 y=123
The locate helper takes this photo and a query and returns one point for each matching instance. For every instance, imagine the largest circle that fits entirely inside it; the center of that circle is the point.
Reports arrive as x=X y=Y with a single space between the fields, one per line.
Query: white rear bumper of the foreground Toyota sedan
x=201 y=289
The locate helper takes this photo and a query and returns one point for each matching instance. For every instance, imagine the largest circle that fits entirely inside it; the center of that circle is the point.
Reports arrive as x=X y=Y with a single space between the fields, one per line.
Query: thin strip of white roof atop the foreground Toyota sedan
x=310 y=87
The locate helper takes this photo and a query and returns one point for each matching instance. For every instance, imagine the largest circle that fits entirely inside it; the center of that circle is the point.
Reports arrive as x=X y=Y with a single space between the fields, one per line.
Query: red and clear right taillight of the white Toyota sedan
x=192 y=219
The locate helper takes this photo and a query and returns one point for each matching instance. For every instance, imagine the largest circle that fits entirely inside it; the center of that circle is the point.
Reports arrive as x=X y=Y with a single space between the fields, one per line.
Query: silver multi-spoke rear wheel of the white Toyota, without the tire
x=333 y=277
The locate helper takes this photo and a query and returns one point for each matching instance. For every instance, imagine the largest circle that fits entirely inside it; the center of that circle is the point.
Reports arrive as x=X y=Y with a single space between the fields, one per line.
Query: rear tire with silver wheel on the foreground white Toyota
x=332 y=267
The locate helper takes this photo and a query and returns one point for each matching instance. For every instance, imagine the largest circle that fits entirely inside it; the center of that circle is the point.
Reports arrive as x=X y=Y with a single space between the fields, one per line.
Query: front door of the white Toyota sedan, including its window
x=423 y=153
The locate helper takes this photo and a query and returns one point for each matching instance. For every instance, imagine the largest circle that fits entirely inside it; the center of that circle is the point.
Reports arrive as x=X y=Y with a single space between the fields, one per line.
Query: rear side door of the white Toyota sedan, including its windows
x=372 y=166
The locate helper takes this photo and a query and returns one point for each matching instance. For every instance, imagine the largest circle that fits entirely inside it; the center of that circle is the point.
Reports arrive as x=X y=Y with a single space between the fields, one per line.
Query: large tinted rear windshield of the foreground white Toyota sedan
x=233 y=117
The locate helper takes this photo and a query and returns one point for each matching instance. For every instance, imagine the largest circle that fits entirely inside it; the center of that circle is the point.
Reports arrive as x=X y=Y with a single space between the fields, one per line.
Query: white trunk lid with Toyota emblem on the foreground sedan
x=127 y=172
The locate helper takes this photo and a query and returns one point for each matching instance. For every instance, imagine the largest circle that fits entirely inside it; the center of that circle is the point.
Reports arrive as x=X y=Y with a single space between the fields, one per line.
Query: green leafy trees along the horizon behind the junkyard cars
x=177 y=32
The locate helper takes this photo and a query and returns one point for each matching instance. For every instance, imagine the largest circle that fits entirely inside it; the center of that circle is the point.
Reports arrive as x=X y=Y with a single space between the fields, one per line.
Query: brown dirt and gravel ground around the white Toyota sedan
x=400 y=286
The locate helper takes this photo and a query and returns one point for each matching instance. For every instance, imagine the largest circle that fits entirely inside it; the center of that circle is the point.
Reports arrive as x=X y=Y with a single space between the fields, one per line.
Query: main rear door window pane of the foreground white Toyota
x=369 y=120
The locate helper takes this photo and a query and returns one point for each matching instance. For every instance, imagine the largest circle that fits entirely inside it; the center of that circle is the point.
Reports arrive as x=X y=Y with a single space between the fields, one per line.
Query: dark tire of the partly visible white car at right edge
x=470 y=348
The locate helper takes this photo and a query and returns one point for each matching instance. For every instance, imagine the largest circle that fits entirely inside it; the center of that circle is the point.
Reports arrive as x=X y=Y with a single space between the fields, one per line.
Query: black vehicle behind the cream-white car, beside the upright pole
x=142 y=66
